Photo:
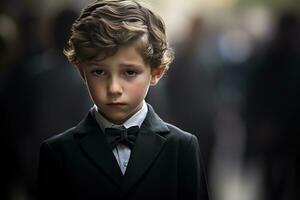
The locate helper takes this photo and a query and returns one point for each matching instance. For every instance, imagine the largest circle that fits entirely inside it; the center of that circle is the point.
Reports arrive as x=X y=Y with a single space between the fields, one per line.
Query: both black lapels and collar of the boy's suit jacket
x=148 y=145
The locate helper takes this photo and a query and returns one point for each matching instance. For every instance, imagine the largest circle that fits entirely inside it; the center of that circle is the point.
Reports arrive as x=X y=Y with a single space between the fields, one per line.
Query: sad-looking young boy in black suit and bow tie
x=121 y=149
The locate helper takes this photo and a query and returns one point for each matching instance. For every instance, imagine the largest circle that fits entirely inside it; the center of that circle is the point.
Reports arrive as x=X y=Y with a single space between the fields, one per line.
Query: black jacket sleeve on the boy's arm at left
x=50 y=177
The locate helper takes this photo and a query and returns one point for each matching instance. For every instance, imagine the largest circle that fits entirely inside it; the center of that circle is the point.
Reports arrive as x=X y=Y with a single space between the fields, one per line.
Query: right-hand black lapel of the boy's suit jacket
x=148 y=145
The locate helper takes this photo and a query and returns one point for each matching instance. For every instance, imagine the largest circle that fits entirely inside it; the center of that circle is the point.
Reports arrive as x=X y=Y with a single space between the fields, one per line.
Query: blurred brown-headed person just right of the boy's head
x=193 y=109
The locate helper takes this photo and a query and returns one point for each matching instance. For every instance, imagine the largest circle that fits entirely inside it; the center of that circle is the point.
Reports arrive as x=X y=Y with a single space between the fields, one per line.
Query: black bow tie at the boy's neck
x=117 y=136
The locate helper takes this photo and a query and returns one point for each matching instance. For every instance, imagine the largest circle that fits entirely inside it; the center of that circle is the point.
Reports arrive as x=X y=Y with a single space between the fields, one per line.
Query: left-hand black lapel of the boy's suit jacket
x=92 y=141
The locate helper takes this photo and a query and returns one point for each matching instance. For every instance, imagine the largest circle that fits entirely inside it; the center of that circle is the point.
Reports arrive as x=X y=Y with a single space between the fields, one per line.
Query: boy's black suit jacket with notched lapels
x=164 y=164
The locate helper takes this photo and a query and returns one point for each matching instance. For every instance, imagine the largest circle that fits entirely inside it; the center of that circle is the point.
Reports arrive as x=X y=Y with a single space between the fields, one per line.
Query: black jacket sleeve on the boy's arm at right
x=192 y=181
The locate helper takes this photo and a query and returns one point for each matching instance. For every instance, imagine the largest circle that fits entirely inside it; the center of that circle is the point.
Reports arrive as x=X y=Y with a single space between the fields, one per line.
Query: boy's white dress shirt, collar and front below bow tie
x=122 y=152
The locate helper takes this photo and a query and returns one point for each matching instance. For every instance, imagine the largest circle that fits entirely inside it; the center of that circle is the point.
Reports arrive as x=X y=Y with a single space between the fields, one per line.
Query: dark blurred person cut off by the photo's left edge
x=9 y=53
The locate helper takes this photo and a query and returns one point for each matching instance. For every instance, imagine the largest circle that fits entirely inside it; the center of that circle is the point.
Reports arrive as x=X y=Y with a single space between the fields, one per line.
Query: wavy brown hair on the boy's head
x=105 y=26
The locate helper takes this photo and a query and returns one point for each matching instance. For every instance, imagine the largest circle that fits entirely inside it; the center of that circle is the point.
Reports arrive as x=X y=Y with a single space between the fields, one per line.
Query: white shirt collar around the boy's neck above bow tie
x=135 y=120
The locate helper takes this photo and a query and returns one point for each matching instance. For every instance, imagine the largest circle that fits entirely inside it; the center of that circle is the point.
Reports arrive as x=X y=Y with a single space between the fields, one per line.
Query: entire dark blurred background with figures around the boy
x=234 y=83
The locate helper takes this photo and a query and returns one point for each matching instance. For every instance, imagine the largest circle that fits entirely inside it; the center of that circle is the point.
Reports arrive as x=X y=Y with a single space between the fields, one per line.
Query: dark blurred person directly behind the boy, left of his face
x=54 y=90
